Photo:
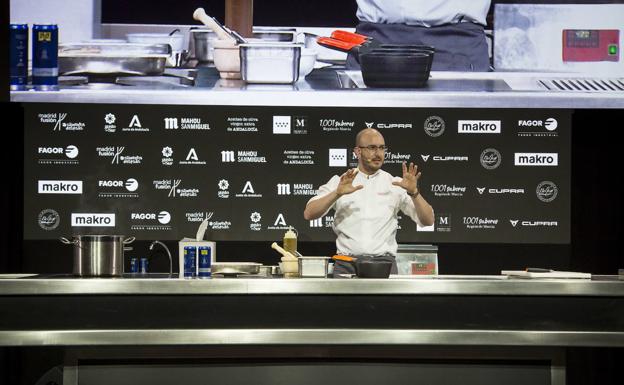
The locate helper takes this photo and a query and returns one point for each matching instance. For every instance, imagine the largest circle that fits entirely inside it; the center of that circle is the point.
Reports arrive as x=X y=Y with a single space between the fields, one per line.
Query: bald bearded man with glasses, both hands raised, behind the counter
x=367 y=201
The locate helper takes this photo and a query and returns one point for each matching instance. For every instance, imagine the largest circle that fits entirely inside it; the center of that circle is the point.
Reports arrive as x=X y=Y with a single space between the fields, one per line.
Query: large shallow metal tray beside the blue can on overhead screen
x=113 y=58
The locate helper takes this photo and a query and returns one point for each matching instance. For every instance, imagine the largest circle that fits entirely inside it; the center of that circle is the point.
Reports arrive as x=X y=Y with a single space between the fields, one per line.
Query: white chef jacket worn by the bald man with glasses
x=365 y=221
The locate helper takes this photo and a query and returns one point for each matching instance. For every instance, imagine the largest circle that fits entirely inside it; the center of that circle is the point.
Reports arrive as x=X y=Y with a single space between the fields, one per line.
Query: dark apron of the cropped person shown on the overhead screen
x=459 y=47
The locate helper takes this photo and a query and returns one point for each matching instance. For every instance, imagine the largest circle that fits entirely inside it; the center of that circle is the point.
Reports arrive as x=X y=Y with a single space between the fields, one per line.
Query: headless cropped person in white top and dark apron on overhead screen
x=453 y=27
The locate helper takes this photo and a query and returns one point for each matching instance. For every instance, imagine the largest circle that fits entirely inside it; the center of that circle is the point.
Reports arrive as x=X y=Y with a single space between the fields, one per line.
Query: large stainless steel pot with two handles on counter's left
x=98 y=255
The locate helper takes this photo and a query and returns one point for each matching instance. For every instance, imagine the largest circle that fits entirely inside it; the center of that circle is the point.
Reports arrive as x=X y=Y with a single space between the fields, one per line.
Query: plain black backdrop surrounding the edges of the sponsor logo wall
x=596 y=226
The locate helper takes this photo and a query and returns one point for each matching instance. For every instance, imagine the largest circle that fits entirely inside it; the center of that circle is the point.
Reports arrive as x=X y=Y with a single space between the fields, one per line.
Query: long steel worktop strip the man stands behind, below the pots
x=609 y=286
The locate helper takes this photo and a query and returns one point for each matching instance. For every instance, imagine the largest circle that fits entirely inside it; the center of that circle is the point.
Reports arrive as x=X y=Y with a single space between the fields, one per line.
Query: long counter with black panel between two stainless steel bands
x=447 y=310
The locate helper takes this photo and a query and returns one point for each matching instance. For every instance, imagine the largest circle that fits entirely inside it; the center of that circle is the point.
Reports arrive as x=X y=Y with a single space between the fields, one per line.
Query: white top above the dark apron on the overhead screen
x=427 y=13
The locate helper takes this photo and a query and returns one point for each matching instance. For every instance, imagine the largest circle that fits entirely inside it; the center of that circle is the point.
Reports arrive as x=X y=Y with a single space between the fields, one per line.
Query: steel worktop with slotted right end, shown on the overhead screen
x=339 y=88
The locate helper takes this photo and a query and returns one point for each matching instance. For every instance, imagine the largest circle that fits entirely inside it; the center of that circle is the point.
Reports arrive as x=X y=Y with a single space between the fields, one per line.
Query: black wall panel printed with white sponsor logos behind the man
x=156 y=172
